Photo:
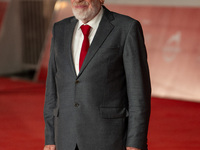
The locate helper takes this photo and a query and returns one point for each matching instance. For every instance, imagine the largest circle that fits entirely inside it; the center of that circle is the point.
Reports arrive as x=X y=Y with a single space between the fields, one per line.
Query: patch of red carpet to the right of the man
x=174 y=125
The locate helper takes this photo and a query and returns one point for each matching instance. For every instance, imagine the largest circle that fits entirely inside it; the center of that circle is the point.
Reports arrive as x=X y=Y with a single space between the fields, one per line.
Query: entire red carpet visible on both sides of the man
x=174 y=125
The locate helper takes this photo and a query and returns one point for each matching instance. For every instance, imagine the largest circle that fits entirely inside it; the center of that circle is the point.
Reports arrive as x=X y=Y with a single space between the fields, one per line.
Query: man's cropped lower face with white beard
x=86 y=10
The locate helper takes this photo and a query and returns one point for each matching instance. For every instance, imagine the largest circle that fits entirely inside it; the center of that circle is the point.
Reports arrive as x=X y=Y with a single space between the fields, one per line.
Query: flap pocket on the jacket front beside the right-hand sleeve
x=113 y=112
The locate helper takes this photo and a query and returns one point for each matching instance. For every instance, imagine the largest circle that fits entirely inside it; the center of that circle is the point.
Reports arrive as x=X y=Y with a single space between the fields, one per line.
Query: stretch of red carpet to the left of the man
x=22 y=125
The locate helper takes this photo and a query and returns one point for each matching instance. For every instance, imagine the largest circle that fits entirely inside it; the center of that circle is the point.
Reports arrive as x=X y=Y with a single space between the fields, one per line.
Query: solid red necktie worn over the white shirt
x=86 y=31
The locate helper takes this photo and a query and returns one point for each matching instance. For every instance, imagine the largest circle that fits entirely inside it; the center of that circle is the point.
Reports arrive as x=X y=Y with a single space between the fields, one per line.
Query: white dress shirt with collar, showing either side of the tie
x=78 y=37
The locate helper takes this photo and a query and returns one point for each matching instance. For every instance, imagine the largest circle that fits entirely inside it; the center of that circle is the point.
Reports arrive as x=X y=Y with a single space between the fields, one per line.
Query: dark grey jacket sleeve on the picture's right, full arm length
x=138 y=87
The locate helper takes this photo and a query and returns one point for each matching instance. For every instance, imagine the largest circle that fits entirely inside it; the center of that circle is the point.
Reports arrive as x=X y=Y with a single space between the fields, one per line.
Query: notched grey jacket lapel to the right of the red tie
x=104 y=29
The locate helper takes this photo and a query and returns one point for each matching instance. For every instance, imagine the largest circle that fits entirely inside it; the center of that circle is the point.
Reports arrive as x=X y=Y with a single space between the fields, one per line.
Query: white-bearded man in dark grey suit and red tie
x=98 y=87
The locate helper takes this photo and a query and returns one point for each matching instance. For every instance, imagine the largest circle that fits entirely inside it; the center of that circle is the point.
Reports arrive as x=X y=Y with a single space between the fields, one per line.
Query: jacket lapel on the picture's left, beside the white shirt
x=69 y=30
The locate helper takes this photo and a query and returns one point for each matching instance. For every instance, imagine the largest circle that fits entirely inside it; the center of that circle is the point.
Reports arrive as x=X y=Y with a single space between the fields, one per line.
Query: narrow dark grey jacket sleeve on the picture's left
x=50 y=96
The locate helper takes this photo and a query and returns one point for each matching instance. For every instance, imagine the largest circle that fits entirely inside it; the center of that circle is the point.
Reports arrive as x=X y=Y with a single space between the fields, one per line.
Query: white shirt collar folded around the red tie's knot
x=94 y=22
